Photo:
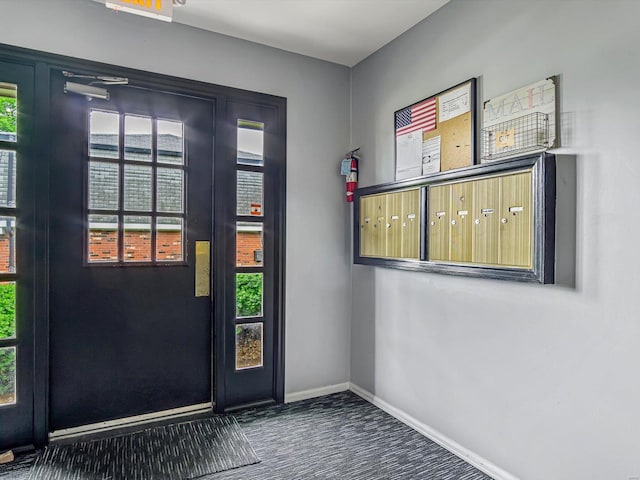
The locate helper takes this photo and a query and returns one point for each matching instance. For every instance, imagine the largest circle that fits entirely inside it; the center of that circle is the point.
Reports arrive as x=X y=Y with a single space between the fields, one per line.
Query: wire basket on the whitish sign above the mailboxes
x=529 y=133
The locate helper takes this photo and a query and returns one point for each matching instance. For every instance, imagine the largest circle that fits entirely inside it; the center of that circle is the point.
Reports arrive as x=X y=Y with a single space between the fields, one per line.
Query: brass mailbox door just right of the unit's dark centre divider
x=438 y=222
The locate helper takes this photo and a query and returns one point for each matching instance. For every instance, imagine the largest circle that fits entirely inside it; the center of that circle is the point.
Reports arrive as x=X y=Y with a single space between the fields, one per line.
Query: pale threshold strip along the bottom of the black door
x=130 y=421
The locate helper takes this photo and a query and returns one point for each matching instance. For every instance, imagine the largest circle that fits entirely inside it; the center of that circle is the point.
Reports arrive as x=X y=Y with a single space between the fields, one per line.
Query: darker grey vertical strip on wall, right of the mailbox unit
x=566 y=207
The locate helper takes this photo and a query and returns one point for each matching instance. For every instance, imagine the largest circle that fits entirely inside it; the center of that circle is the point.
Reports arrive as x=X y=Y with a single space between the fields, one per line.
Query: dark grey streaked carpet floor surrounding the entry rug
x=339 y=436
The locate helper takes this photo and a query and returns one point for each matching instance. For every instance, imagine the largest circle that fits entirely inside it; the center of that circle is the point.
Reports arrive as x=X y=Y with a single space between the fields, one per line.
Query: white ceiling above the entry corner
x=339 y=31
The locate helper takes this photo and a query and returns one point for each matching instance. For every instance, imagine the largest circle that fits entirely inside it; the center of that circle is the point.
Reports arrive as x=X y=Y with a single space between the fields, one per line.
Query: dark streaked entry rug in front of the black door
x=173 y=452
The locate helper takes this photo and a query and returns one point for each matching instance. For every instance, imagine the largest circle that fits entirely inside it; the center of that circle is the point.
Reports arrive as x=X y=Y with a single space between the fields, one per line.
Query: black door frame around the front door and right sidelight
x=224 y=153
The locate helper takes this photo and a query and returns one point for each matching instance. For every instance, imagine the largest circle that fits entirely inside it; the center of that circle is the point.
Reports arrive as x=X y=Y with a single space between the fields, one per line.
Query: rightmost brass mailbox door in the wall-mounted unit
x=516 y=220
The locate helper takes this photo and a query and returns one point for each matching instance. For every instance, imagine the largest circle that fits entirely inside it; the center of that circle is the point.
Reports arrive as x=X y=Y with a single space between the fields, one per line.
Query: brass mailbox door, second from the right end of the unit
x=486 y=220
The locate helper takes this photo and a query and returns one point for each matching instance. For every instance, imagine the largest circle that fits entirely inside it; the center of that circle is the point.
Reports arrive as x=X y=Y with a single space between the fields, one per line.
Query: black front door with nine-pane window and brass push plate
x=131 y=205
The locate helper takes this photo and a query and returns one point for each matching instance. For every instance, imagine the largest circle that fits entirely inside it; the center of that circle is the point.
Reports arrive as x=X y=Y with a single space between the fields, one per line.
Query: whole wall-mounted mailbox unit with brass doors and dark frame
x=492 y=220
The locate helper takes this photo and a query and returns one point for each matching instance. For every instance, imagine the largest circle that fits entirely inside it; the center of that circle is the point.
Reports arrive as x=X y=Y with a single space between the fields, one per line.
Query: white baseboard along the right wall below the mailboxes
x=458 y=450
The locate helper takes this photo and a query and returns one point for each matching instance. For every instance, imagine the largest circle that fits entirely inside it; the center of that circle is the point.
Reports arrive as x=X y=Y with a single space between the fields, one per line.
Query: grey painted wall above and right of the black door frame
x=318 y=271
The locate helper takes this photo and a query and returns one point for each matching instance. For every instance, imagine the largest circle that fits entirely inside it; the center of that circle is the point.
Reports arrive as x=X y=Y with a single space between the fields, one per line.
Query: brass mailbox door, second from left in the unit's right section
x=461 y=221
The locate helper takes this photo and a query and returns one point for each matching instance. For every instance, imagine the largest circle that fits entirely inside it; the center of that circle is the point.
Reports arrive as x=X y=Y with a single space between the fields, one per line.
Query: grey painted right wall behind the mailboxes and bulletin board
x=540 y=380
